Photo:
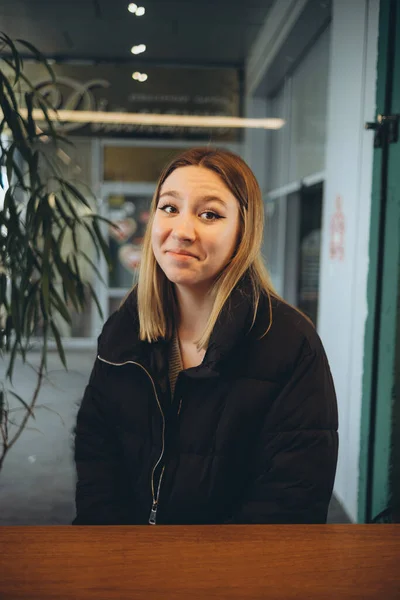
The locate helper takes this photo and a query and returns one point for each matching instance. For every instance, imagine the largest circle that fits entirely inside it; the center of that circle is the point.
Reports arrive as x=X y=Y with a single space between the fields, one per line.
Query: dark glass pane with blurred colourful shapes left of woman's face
x=130 y=215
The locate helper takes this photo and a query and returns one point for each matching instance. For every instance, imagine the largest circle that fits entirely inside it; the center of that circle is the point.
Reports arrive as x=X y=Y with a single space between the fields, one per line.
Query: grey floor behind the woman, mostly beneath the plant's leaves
x=38 y=478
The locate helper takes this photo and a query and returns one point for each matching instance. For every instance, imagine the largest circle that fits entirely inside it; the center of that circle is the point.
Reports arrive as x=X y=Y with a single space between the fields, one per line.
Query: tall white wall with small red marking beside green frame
x=343 y=284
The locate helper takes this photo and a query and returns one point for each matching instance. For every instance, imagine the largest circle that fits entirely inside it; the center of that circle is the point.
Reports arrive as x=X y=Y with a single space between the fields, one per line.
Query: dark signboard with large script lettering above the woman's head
x=183 y=91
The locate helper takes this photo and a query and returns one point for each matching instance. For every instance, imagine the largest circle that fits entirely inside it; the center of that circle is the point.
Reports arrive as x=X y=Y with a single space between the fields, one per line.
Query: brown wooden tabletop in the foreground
x=189 y=563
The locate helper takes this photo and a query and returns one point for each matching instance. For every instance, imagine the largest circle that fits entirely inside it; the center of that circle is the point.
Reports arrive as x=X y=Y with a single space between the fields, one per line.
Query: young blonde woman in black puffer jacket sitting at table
x=211 y=399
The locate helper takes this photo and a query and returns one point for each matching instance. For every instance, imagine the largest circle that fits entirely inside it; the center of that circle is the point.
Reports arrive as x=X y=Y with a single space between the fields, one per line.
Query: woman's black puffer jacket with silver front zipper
x=249 y=437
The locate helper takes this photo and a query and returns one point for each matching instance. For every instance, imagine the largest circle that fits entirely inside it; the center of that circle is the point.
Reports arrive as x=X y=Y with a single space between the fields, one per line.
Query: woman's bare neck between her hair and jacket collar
x=194 y=309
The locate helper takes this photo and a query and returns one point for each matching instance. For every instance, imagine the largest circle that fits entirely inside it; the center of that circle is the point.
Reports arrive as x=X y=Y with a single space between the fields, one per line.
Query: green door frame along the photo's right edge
x=383 y=286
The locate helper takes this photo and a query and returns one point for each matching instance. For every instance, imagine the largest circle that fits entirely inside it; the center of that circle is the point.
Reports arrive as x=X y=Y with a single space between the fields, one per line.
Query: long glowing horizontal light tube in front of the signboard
x=88 y=116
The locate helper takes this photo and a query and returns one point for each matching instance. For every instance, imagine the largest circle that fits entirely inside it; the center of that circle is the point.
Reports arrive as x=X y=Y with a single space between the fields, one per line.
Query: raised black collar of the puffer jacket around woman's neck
x=119 y=341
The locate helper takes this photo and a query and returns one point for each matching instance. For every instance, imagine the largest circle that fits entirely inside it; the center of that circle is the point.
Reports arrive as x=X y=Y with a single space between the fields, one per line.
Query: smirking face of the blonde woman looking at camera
x=196 y=227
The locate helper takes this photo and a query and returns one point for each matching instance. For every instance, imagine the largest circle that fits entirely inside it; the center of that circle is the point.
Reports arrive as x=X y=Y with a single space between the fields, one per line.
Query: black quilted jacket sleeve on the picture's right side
x=293 y=466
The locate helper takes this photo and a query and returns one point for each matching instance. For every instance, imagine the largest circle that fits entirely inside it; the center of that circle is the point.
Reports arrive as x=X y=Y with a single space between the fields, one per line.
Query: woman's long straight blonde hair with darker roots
x=156 y=299
